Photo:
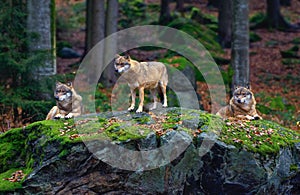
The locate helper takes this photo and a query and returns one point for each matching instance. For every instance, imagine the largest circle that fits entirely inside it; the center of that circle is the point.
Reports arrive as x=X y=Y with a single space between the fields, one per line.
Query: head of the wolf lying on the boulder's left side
x=63 y=92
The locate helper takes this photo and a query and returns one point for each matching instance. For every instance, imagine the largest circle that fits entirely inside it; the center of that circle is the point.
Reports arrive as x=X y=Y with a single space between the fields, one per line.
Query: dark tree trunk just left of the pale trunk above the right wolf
x=225 y=23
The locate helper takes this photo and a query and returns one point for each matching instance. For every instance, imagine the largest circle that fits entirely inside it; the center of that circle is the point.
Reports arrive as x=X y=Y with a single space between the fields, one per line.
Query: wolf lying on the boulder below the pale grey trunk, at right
x=241 y=105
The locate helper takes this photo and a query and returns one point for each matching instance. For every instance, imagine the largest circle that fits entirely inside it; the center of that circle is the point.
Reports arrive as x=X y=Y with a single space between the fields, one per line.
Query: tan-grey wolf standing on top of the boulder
x=143 y=75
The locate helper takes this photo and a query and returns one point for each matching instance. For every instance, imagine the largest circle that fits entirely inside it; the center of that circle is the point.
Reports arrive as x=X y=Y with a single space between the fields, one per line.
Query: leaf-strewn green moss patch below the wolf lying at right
x=260 y=136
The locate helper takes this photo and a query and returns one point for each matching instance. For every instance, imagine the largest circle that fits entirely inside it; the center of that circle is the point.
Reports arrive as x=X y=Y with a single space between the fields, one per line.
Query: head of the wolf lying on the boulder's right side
x=243 y=96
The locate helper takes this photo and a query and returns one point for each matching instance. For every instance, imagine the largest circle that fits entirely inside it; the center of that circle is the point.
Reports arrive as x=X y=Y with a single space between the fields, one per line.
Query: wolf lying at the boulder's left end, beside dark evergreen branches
x=68 y=102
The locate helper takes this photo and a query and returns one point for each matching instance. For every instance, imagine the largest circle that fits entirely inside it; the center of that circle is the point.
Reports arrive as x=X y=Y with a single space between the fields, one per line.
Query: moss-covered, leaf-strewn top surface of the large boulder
x=25 y=148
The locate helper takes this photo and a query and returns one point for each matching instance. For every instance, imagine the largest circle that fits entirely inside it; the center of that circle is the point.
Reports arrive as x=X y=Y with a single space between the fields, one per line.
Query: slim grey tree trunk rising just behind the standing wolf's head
x=108 y=77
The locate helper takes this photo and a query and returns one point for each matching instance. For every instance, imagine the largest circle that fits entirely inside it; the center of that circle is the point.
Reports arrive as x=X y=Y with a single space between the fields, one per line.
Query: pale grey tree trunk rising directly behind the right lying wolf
x=240 y=43
